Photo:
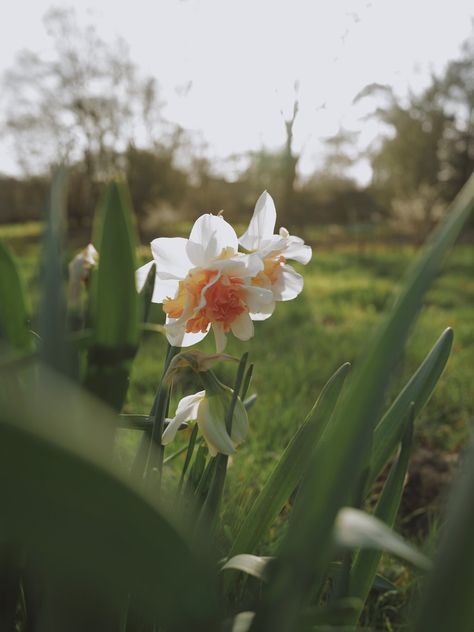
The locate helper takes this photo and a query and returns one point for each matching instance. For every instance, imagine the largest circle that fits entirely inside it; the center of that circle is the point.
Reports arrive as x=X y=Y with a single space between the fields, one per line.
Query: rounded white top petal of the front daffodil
x=209 y=236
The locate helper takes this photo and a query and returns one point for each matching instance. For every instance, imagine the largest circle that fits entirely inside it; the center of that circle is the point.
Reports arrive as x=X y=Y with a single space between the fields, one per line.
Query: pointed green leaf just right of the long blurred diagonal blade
x=418 y=389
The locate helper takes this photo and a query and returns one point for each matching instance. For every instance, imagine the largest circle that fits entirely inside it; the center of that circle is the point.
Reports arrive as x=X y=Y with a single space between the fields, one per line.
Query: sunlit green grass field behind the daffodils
x=296 y=351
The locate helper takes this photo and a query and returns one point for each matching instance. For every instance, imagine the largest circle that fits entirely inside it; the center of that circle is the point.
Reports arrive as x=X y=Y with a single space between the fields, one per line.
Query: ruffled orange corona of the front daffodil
x=224 y=300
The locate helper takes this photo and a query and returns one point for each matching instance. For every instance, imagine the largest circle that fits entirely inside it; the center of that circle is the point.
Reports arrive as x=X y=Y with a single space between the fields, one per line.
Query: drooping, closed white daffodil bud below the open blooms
x=209 y=411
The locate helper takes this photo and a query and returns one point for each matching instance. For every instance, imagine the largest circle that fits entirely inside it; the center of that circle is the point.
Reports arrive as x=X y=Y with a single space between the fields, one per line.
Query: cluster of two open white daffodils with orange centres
x=205 y=283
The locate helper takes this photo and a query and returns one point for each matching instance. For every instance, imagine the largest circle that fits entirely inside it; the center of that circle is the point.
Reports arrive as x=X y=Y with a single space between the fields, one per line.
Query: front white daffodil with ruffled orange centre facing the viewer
x=203 y=283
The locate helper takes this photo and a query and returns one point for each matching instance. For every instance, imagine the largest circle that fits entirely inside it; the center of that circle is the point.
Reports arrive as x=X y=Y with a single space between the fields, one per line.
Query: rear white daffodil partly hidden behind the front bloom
x=274 y=250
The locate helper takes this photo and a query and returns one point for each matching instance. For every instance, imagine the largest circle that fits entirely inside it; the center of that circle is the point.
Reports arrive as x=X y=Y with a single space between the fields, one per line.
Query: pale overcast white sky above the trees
x=227 y=68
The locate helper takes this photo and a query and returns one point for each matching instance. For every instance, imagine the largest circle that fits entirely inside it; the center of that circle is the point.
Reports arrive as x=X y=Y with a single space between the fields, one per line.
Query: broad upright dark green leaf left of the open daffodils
x=115 y=304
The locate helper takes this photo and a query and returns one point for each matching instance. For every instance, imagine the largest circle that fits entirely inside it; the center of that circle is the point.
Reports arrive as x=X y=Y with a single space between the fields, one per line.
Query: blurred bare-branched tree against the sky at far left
x=86 y=103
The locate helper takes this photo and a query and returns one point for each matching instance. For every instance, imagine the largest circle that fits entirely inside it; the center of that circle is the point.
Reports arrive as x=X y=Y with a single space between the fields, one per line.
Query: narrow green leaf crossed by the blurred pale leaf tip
x=364 y=567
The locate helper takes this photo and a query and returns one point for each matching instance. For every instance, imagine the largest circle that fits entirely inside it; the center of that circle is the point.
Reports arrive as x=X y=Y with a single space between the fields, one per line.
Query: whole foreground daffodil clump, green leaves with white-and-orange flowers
x=90 y=541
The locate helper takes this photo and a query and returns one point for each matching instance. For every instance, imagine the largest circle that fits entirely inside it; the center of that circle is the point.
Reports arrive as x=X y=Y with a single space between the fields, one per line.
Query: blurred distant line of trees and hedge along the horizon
x=88 y=107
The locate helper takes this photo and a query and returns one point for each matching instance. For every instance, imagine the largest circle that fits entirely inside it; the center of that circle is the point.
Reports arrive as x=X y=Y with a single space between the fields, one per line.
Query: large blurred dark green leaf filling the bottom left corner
x=68 y=504
